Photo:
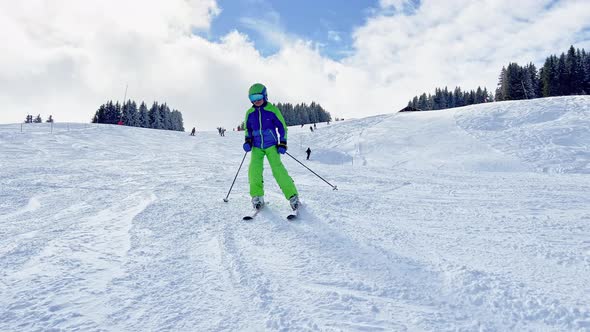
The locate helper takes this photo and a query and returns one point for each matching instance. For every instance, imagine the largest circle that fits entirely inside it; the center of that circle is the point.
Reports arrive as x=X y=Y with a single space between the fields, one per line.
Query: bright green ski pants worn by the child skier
x=278 y=171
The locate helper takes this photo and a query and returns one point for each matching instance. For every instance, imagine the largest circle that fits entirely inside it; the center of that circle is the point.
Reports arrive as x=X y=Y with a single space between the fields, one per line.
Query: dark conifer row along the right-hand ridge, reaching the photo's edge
x=568 y=74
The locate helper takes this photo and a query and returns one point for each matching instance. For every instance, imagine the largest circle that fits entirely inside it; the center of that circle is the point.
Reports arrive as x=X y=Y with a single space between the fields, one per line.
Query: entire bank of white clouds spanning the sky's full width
x=66 y=57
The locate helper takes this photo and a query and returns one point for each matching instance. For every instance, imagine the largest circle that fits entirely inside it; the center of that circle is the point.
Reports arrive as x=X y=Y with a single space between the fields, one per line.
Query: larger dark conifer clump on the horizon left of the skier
x=158 y=116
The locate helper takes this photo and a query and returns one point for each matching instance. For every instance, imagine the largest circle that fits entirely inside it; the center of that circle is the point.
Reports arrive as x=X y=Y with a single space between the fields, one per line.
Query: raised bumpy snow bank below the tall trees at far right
x=550 y=134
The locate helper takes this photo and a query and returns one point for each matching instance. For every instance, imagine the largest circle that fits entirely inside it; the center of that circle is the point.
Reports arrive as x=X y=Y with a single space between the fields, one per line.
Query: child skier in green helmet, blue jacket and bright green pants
x=261 y=124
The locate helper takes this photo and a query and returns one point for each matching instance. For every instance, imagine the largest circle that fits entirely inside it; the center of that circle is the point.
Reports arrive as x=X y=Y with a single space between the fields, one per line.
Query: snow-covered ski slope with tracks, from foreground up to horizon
x=469 y=219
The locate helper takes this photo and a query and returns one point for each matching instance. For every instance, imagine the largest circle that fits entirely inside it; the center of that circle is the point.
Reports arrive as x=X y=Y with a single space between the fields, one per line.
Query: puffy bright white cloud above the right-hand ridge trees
x=463 y=42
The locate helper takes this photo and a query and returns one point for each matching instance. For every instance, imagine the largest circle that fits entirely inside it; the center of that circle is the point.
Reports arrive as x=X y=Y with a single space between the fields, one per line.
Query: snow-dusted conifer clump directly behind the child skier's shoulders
x=300 y=114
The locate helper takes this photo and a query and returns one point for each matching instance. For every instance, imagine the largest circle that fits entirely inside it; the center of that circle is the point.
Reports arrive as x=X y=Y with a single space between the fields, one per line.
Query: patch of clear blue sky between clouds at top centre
x=329 y=23
